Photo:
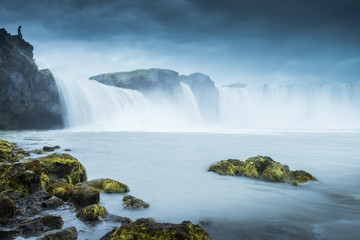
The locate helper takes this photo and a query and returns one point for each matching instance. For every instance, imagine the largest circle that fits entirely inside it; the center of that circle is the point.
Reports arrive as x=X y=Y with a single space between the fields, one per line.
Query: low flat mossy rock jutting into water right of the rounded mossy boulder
x=107 y=185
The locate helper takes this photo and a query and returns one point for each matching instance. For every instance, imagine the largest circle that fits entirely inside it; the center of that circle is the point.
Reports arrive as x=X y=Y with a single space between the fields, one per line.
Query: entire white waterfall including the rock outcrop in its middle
x=161 y=100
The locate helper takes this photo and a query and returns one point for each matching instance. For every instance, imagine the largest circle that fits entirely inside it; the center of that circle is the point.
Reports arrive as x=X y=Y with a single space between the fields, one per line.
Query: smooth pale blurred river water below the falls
x=169 y=171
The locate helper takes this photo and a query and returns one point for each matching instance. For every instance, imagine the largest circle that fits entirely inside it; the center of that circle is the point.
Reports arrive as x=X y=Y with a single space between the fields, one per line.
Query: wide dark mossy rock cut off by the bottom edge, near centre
x=149 y=229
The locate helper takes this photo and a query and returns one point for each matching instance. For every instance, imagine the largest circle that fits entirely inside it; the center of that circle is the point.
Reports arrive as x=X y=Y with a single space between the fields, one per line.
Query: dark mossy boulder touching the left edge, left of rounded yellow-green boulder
x=24 y=177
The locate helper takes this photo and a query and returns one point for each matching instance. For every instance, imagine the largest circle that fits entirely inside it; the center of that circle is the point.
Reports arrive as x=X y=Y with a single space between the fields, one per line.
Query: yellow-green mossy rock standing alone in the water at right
x=263 y=168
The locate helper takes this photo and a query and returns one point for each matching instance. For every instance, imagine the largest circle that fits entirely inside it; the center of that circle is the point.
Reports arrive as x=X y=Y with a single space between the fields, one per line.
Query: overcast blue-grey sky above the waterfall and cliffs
x=257 y=40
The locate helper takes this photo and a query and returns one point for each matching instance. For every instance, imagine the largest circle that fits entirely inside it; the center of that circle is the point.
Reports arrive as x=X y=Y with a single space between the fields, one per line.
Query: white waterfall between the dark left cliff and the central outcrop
x=90 y=105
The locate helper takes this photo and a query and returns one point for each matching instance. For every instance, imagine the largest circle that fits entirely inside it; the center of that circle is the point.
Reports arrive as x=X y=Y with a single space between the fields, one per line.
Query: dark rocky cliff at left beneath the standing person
x=29 y=98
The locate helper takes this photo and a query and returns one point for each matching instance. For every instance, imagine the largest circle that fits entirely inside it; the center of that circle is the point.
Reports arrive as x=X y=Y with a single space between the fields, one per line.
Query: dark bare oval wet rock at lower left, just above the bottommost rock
x=42 y=224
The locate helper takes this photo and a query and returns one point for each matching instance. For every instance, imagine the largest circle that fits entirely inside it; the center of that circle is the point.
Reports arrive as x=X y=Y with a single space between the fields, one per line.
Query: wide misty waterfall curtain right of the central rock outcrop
x=305 y=107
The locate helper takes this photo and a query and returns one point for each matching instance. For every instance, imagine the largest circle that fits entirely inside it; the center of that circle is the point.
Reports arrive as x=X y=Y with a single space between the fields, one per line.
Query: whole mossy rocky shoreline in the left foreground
x=31 y=186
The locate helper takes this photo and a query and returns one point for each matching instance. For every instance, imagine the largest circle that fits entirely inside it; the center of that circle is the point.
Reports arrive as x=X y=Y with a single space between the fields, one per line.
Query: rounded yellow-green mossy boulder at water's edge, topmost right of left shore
x=63 y=168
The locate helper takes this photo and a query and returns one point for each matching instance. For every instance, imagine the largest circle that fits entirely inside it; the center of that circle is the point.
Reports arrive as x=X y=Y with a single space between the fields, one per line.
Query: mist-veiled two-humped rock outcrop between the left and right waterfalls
x=165 y=81
